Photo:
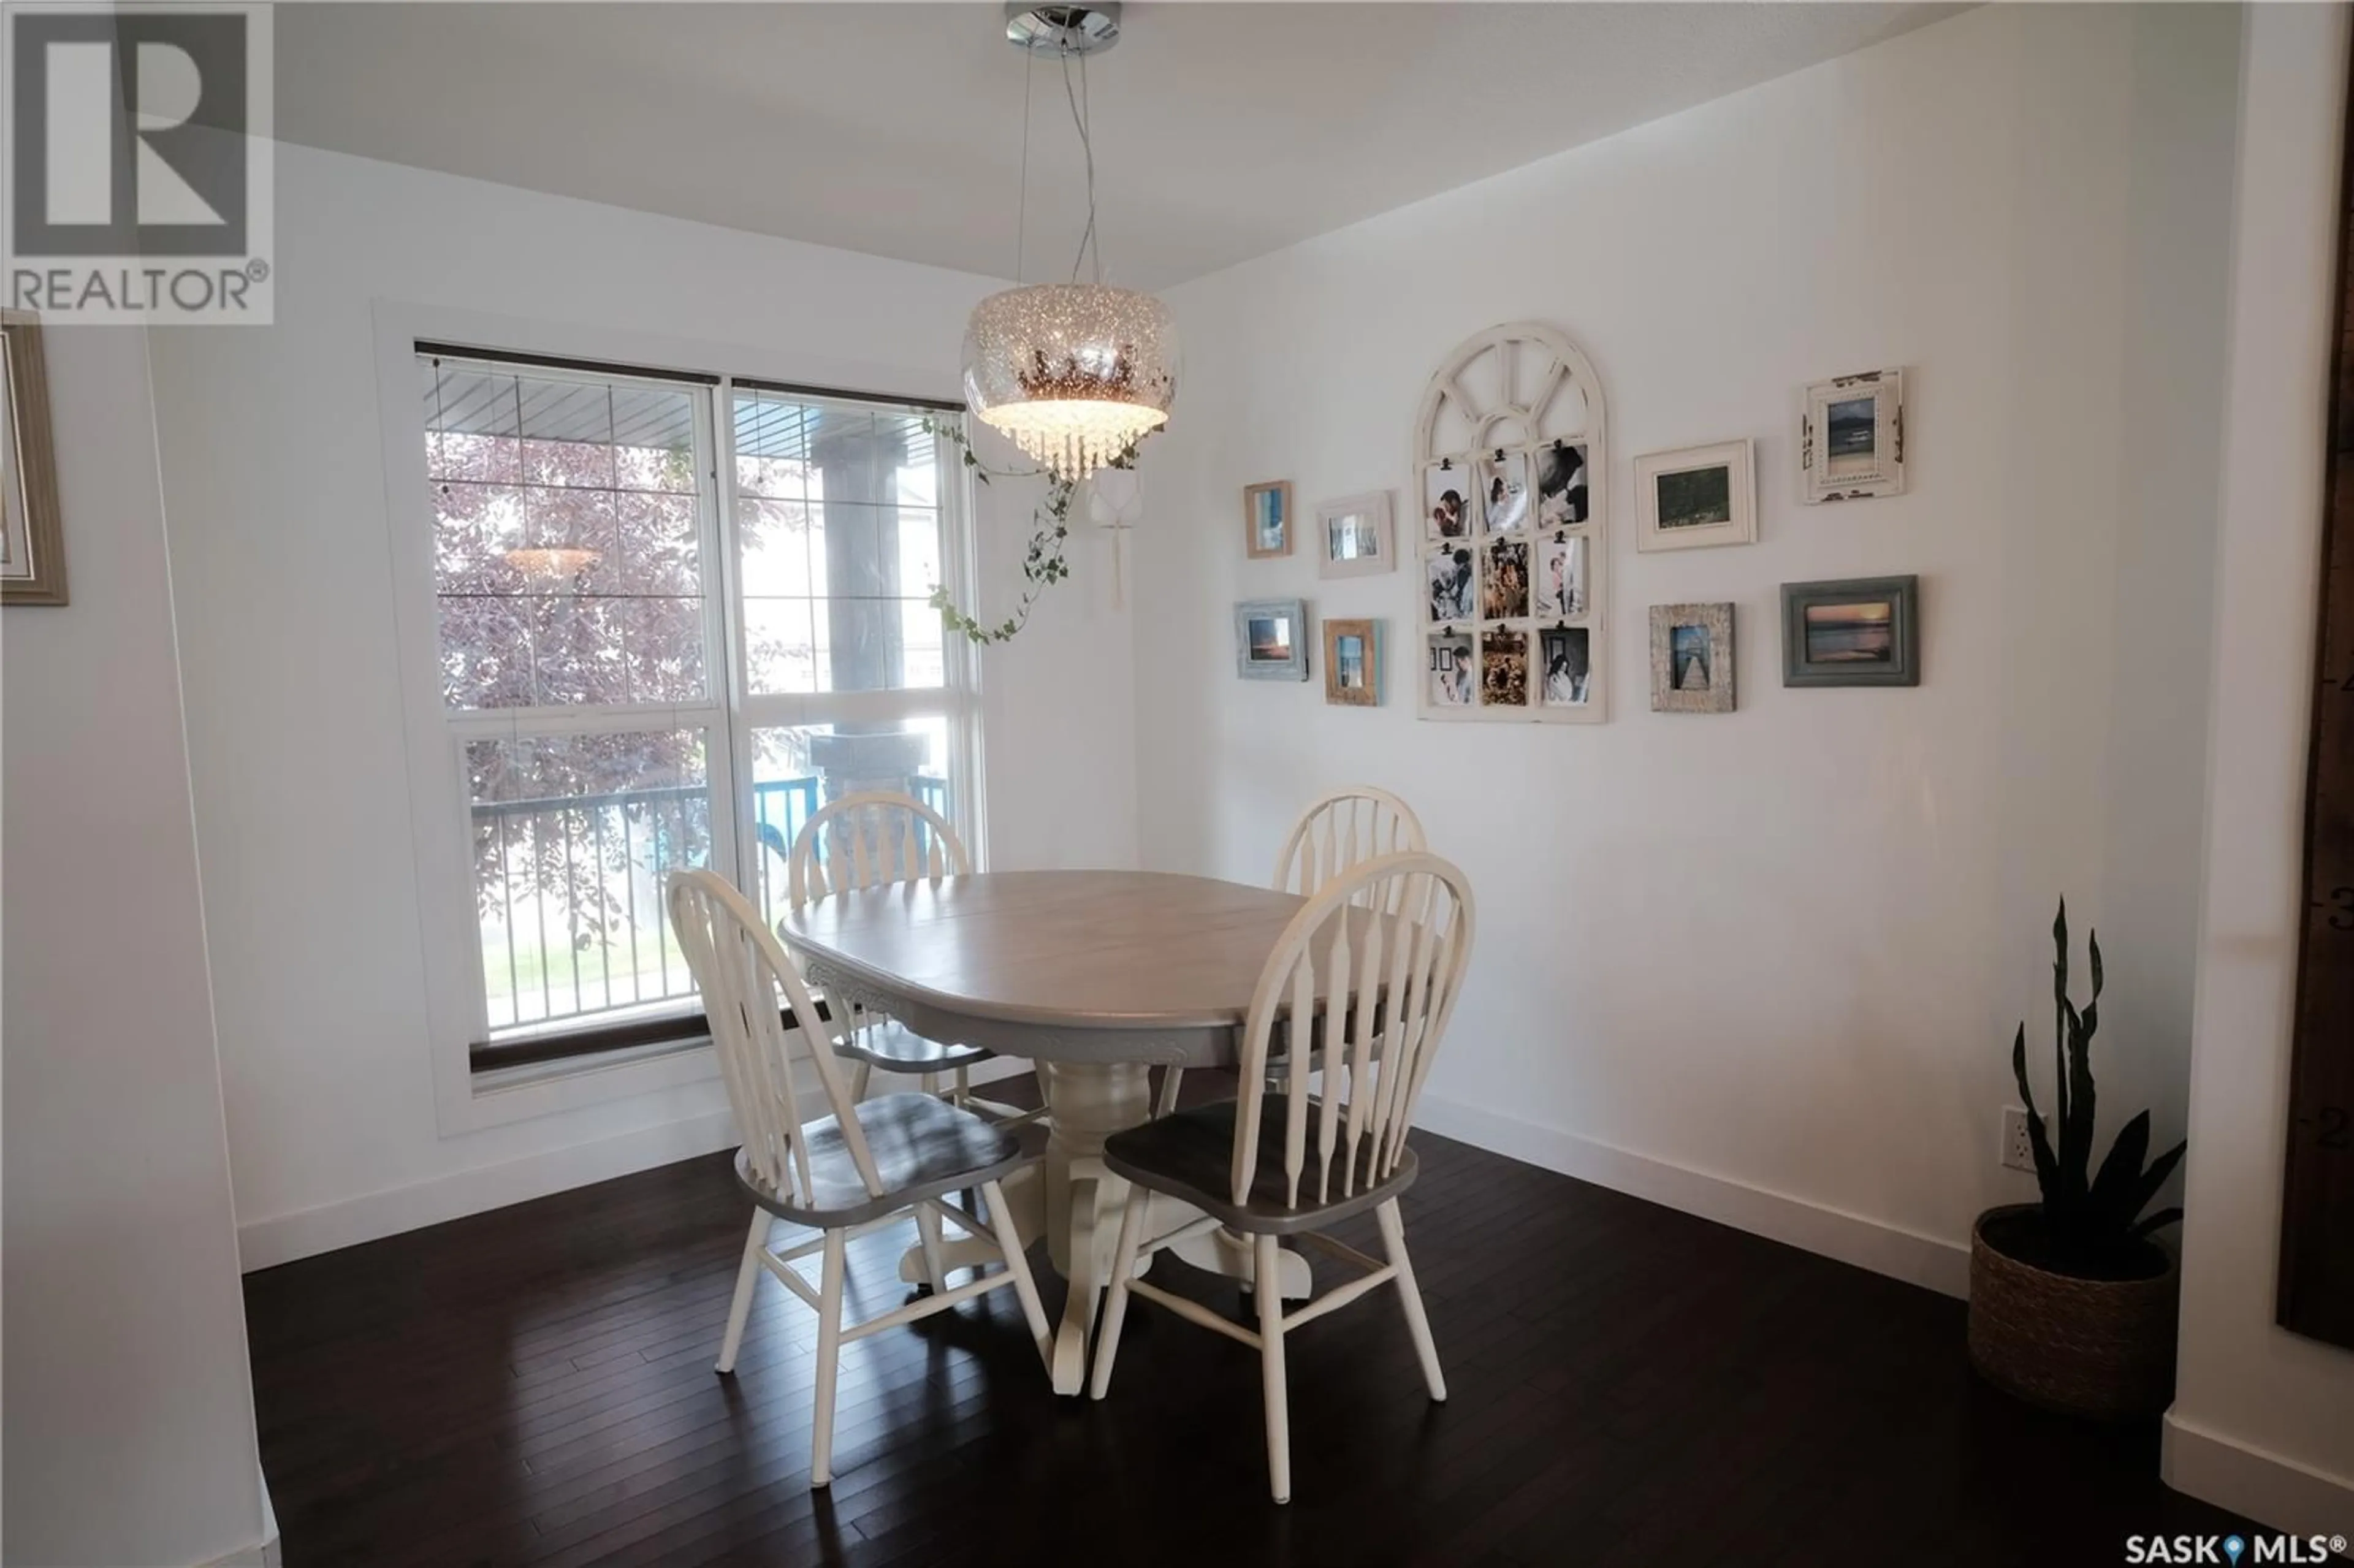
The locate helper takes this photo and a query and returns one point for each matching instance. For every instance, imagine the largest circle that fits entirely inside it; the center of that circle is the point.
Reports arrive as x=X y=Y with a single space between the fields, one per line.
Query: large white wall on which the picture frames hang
x=1769 y=964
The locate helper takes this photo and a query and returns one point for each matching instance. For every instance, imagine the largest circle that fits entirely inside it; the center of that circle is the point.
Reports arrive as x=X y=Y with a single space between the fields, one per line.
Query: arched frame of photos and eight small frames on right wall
x=1510 y=540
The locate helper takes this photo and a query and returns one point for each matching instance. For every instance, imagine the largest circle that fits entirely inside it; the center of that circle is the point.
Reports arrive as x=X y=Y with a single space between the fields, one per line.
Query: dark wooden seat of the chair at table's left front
x=922 y=1148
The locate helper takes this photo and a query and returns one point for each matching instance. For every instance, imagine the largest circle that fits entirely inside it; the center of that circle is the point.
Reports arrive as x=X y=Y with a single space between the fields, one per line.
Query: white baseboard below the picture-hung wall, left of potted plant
x=1868 y=1244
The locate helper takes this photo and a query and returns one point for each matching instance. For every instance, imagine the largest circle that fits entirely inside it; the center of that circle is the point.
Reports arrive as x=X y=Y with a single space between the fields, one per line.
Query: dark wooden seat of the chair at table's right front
x=1190 y=1155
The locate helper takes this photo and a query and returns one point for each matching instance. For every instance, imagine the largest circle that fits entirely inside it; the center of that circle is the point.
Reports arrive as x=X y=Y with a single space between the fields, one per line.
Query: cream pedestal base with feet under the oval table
x=1079 y=1207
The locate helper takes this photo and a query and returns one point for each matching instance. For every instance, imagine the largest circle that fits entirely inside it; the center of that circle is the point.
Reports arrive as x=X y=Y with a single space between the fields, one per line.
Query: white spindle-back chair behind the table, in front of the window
x=877 y=839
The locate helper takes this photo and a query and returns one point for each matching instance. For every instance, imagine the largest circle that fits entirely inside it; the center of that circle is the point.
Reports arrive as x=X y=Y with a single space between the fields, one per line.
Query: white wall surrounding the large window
x=288 y=637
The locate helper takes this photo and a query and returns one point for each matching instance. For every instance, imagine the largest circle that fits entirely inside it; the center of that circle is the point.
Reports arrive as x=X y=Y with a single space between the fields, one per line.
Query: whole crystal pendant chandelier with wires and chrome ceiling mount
x=1072 y=373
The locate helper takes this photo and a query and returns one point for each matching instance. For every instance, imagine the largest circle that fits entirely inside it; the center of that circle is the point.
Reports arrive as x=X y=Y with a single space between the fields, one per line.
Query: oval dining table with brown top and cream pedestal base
x=1093 y=976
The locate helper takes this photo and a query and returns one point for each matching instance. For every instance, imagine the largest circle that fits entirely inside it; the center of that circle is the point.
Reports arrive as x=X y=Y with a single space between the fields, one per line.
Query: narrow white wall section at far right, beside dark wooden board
x=2263 y=1418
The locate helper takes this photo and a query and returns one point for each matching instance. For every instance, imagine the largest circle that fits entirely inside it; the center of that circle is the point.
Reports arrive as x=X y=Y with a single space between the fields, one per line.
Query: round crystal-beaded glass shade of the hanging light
x=1072 y=373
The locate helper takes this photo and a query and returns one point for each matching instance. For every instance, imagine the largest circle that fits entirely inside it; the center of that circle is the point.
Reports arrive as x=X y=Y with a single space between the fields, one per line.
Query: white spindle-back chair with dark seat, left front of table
x=853 y=1171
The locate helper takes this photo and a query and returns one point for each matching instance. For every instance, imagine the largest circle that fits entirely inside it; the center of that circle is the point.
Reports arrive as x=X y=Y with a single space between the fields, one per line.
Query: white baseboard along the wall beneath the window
x=484 y=1188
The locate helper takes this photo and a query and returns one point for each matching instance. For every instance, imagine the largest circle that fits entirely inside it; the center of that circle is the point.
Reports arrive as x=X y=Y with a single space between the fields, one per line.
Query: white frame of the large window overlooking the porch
x=441 y=830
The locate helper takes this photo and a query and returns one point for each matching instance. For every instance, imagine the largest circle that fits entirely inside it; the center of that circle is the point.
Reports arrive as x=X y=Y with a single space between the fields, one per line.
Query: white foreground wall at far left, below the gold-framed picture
x=131 y=1418
